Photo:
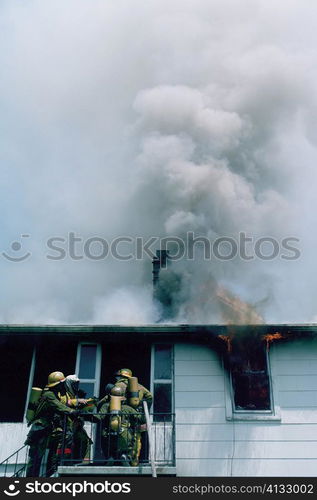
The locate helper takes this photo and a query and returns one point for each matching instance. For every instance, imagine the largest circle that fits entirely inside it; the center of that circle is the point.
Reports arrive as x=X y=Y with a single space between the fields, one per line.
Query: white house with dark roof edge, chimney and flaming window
x=234 y=399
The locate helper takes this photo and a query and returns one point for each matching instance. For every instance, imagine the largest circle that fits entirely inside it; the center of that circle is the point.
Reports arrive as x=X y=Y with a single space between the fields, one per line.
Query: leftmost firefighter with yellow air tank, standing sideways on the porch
x=46 y=431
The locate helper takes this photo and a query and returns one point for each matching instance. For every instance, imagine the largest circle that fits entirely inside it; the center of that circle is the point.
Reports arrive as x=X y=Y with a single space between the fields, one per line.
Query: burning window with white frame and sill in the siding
x=251 y=395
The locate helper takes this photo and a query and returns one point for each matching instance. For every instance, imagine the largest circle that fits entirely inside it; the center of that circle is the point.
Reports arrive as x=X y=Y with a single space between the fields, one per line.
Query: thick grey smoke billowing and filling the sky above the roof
x=157 y=119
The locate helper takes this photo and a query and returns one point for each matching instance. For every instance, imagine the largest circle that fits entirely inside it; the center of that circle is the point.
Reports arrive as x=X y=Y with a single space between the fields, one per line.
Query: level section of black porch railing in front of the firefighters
x=108 y=446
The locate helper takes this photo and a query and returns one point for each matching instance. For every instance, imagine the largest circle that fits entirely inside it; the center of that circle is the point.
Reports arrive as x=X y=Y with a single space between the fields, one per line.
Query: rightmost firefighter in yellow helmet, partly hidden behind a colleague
x=137 y=403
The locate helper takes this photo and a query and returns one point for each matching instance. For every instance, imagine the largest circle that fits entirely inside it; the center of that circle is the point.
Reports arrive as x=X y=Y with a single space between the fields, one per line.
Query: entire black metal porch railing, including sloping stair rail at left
x=94 y=440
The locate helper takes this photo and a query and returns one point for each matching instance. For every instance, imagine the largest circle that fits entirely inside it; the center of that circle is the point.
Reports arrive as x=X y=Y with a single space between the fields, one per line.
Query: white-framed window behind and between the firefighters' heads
x=88 y=366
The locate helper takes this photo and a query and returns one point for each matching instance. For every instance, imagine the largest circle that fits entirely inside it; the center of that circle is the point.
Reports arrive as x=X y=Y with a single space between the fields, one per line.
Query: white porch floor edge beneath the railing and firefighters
x=103 y=470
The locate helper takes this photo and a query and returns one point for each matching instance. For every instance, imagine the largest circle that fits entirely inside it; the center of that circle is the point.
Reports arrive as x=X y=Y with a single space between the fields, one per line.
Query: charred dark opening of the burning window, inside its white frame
x=250 y=376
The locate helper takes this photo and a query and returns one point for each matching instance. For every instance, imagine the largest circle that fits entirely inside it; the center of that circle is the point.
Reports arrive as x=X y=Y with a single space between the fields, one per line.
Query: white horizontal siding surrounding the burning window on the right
x=209 y=445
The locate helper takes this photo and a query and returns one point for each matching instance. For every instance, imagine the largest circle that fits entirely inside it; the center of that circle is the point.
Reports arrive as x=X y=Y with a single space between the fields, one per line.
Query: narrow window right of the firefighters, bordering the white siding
x=162 y=381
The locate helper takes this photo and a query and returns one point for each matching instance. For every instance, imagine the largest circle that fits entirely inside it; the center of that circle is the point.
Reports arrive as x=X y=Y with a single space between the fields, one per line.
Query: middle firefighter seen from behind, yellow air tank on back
x=119 y=423
